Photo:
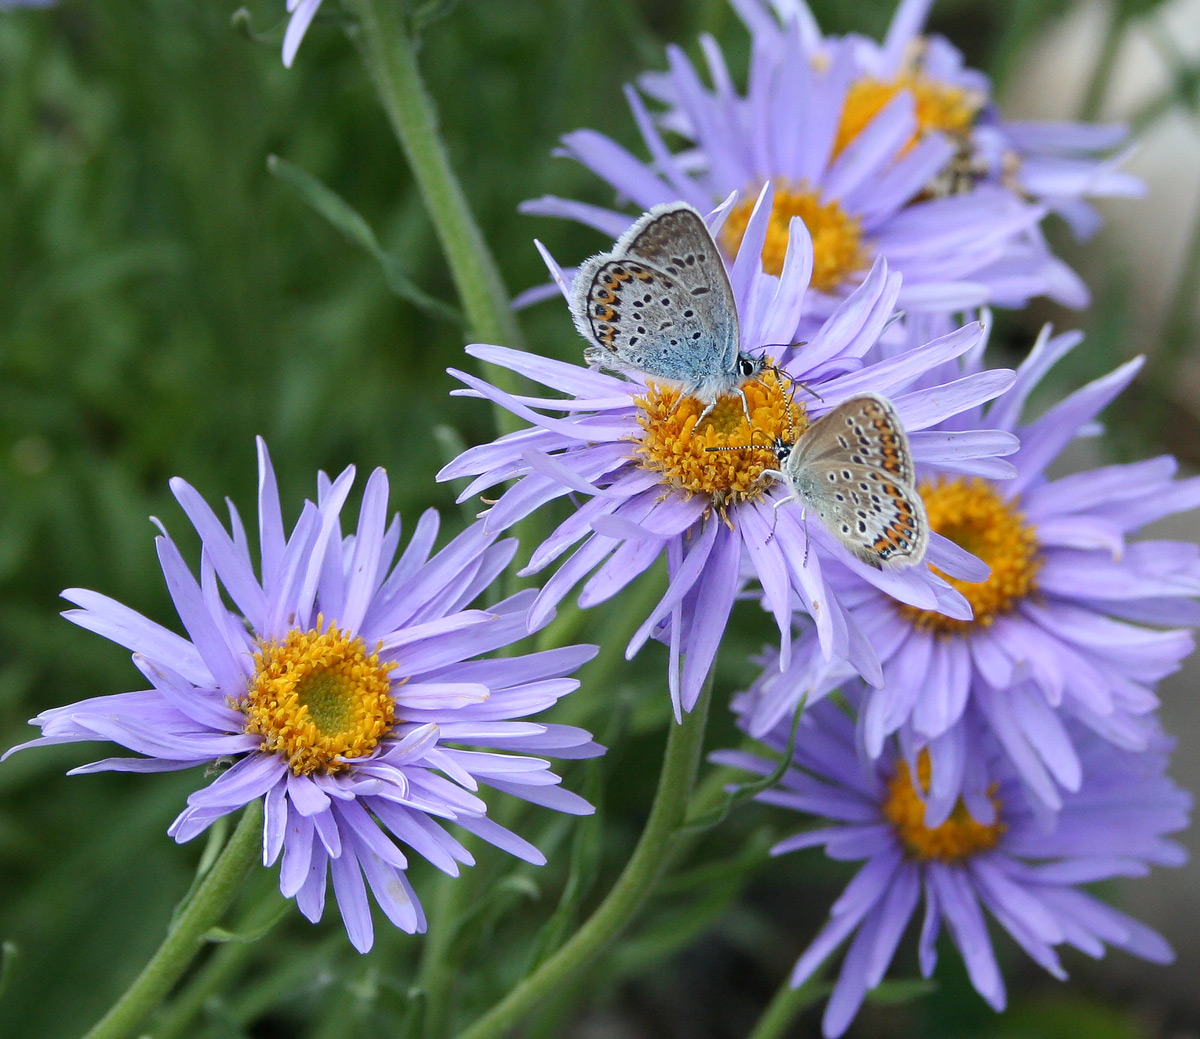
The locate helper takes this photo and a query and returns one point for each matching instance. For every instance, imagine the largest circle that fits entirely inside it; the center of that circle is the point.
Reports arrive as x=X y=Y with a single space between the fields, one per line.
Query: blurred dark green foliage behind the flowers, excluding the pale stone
x=163 y=301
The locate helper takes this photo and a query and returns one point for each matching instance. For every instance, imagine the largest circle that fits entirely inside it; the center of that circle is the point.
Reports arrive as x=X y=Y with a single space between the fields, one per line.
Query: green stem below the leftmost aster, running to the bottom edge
x=188 y=935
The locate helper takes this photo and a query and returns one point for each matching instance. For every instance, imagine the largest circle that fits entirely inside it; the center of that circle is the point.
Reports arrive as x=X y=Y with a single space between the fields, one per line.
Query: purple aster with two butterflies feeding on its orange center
x=655 y=488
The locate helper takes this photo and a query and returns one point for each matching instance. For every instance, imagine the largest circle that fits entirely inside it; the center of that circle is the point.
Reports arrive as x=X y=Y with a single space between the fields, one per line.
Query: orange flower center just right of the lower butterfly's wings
x=974 y=517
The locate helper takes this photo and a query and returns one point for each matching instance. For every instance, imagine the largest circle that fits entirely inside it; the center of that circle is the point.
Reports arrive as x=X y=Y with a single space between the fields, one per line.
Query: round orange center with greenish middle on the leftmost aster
x=319 y=698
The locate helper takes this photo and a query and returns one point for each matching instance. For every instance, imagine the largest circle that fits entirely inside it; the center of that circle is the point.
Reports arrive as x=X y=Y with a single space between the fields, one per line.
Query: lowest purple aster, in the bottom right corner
x=997 y=857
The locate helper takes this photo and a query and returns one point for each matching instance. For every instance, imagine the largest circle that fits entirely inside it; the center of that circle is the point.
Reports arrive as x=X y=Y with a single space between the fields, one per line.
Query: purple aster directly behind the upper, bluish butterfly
x=861 y=200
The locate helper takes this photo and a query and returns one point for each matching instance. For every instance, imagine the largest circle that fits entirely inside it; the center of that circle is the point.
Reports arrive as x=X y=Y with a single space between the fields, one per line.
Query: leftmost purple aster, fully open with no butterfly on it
x=345 y=693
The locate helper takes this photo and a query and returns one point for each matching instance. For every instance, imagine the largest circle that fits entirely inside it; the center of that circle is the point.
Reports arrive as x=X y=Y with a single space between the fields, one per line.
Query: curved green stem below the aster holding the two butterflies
x=633 y=887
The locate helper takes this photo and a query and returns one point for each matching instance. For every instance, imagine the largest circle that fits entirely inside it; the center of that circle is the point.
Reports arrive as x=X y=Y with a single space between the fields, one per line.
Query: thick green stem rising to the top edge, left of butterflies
x=392 y=62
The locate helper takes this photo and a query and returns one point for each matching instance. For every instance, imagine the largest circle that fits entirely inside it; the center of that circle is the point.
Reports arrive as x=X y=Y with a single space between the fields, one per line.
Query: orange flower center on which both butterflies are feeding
x=676 y=446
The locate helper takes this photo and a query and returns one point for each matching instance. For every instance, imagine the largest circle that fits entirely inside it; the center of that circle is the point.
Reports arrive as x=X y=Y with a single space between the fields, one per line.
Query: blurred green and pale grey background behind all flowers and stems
x=164 y=298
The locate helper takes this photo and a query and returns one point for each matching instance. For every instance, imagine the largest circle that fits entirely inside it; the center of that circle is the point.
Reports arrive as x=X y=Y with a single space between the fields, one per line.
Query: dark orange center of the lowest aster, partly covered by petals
x=959 y=838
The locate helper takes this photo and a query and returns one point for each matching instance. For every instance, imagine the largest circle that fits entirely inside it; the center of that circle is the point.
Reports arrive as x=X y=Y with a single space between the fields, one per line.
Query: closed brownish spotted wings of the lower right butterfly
x=854 y=469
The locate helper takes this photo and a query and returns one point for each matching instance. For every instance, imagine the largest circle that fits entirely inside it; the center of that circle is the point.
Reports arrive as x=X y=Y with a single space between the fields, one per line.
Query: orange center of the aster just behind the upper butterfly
x=838 y=250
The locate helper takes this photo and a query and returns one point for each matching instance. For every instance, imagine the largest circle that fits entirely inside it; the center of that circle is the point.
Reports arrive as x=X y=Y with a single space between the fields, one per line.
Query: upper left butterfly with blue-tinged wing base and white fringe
x=661 y=305
